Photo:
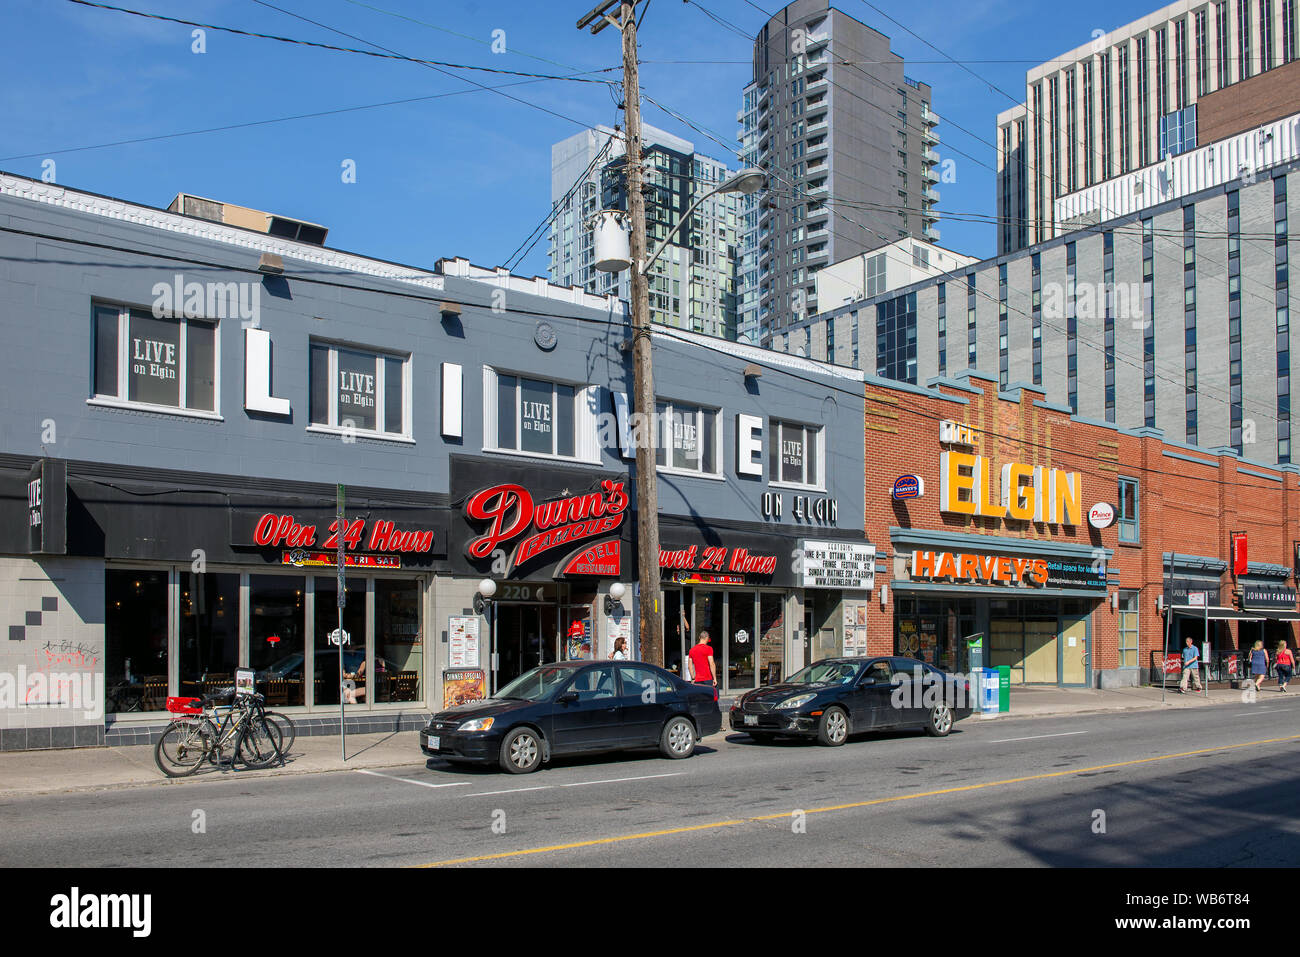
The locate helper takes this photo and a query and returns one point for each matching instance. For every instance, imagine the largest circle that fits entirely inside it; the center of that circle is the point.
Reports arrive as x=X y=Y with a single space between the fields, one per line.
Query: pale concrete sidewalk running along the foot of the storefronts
x=88 y=769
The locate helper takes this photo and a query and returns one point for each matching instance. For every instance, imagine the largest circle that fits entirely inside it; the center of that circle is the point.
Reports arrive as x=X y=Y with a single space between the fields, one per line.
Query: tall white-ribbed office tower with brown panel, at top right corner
x=1103 y=119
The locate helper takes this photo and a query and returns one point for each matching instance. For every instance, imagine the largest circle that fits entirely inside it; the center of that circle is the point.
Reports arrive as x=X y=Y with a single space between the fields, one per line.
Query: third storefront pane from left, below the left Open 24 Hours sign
x=278 y=649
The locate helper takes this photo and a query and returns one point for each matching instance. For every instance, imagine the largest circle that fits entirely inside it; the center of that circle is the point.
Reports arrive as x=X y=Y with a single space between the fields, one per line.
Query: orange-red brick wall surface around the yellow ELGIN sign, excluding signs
x=1190 y=500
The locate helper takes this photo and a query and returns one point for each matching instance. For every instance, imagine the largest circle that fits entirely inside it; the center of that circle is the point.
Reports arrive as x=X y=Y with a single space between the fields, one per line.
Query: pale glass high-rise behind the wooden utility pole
x=694 y=283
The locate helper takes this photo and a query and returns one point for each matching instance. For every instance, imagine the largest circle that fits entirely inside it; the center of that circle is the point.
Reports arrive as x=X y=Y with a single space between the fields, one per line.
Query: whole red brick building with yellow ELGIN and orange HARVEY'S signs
x=1004 y=544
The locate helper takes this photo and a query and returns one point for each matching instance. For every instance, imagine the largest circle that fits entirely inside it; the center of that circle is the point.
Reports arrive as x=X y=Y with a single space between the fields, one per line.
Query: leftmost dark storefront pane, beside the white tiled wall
x=136 y=634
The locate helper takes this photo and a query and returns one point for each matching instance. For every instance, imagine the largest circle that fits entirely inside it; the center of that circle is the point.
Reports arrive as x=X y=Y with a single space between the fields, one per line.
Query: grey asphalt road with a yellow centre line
x=1206 y=789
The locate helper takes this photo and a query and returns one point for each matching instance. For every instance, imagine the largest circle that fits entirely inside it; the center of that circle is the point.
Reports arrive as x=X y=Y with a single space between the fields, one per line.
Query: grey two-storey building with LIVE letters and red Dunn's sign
x=185 y=397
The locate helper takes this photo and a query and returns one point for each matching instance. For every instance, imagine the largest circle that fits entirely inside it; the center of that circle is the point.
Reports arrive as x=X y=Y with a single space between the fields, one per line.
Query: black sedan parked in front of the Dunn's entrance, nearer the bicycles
x=577 y=708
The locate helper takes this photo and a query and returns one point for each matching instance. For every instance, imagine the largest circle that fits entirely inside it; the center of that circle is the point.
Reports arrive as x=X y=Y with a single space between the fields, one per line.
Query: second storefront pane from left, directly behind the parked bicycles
x=210 y=633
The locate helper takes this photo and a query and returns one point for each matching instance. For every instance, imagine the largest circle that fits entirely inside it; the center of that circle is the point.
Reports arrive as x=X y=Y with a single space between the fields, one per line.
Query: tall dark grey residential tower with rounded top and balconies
x=839 y=127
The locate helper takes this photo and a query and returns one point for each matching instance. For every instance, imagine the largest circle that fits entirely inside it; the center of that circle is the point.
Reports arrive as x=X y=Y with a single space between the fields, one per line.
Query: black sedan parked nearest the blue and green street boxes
x=837 y=698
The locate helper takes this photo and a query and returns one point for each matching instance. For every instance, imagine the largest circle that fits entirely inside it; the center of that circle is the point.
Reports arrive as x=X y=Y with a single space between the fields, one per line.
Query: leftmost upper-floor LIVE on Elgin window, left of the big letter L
x=151 y=361
